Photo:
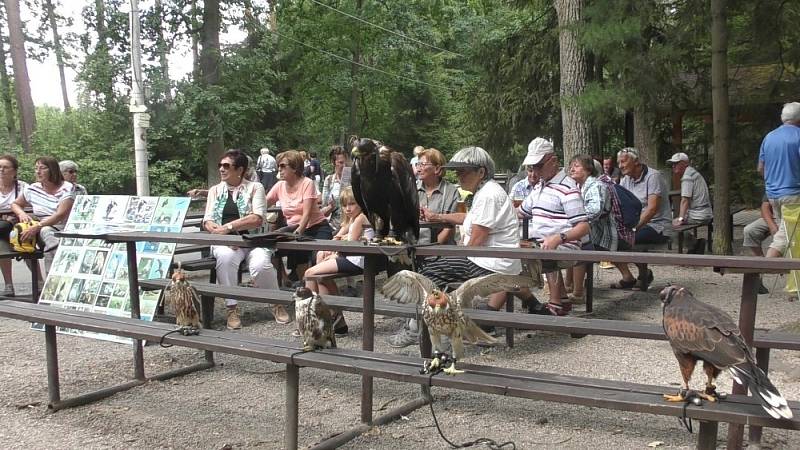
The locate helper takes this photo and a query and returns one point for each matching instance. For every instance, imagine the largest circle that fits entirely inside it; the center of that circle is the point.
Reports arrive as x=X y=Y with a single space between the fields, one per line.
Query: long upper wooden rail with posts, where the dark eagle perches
x=750 y=267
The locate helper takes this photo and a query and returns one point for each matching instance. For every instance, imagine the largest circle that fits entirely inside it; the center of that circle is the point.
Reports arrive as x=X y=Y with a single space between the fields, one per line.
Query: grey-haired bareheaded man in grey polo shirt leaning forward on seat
x=655 y=222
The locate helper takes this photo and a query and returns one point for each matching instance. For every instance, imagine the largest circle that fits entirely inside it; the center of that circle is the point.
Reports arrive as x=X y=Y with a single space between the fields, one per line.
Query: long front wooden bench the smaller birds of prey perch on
x=583 y=391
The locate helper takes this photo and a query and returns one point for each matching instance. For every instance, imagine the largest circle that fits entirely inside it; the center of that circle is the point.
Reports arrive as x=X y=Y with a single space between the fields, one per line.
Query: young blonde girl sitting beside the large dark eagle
x=354 y=226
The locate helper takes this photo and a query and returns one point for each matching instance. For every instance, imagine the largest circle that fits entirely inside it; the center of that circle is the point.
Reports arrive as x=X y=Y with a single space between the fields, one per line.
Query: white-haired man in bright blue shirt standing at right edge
x=779 y=163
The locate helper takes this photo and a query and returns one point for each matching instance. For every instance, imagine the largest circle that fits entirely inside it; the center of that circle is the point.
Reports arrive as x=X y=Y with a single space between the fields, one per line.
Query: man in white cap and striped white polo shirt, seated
x=558 y=220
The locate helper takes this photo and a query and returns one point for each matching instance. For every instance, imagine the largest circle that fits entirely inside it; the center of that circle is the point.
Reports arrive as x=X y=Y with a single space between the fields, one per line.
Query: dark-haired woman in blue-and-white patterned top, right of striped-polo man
x=598 y=206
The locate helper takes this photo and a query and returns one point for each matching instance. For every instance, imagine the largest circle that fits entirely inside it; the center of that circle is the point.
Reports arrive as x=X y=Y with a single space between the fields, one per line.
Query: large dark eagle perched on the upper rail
x=386 y=190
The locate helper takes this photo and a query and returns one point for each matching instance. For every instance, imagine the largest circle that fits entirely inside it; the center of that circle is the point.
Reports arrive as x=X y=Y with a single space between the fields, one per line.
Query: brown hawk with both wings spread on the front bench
x=445 y=314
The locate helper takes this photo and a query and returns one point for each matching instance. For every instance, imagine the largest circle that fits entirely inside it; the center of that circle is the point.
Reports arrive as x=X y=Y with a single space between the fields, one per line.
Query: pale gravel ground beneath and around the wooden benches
x=240 y=403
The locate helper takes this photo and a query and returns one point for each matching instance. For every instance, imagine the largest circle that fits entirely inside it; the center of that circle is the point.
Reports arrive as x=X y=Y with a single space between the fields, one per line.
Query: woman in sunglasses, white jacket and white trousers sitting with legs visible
x=236 y=205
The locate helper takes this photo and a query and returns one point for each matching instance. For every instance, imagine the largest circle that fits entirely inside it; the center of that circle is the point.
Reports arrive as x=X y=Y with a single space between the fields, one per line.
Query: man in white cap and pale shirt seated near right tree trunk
x=695 y=198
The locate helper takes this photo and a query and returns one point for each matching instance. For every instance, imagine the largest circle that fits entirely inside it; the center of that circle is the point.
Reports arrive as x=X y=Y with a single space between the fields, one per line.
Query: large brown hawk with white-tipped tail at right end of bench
x=700 y=332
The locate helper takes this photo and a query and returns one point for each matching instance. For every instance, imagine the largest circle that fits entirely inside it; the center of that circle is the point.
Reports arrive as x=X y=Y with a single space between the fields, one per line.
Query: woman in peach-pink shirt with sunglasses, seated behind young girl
x=298 y=201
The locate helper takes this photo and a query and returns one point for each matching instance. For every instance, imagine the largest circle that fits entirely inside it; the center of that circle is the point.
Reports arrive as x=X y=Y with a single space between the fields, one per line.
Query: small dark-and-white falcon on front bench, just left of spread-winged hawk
x=314 y=320
